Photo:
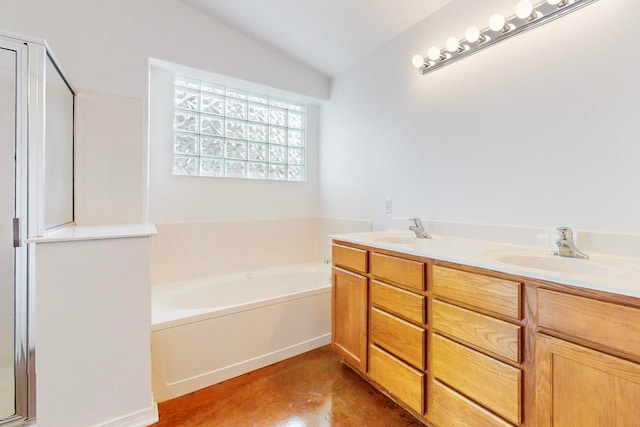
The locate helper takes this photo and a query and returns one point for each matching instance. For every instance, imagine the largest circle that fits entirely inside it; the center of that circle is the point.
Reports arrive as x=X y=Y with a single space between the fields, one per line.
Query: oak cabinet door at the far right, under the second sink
x=577 y=386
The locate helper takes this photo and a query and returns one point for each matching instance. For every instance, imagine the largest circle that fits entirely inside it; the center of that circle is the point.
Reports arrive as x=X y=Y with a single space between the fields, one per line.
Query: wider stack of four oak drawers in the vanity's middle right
x=476 y=348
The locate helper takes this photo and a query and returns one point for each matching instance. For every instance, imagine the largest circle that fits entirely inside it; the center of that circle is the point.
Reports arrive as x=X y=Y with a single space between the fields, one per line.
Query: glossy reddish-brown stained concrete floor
x=311 y=390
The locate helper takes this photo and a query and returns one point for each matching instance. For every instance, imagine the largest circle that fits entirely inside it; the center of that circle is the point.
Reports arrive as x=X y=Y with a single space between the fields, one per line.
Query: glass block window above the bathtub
x=224 y=132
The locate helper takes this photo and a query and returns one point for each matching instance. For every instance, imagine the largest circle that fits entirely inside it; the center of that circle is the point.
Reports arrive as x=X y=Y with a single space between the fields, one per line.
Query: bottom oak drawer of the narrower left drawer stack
x=400 y=379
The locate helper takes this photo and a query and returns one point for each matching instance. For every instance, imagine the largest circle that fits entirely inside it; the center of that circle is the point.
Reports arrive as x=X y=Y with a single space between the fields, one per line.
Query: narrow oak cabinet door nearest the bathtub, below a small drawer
x=349 y=317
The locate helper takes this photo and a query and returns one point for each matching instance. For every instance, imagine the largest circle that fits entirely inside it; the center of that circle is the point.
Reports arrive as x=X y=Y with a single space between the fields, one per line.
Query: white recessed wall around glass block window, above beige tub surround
x=175 y=199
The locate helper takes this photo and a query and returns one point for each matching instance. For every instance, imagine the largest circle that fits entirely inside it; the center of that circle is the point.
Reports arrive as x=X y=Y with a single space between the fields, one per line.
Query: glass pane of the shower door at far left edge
x=8 y=66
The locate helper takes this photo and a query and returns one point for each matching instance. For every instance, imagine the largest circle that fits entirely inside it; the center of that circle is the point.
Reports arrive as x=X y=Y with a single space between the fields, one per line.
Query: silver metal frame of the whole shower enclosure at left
x=31 y=72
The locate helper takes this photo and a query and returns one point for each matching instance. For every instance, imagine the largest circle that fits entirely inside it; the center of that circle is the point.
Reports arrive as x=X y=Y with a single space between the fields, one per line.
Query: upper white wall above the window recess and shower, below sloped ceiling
x=105 y=46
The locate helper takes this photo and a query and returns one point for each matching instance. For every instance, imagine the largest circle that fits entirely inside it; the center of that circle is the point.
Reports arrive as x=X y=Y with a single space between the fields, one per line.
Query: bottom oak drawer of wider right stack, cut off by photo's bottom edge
x=452 y=409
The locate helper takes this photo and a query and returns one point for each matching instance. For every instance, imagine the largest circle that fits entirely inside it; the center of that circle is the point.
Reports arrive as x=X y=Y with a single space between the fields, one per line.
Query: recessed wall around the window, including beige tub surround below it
x=209 y=226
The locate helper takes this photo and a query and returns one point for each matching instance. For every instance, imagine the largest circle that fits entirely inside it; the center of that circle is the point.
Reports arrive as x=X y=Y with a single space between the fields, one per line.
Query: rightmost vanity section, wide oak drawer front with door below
x=579 y=380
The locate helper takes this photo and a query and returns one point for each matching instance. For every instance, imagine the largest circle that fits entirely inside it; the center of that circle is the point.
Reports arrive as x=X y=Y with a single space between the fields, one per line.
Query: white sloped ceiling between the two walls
x=327 y=35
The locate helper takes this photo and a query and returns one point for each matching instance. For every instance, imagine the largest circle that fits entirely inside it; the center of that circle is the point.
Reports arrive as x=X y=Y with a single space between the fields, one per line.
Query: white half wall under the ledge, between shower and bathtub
x=93 y=355
